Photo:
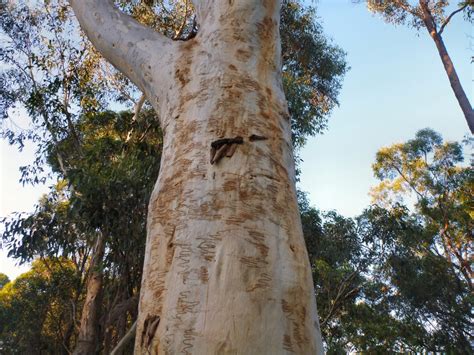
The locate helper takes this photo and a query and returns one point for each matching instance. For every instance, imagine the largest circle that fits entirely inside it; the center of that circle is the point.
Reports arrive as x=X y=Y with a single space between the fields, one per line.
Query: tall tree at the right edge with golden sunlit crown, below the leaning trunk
x=431 y=270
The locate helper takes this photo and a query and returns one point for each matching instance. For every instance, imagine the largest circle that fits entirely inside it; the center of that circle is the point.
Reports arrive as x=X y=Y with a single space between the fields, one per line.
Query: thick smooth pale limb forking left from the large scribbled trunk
x=131 y=47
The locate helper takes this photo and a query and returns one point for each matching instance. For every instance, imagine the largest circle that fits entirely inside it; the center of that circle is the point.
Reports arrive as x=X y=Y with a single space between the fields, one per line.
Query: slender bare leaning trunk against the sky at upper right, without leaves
x=459 y=92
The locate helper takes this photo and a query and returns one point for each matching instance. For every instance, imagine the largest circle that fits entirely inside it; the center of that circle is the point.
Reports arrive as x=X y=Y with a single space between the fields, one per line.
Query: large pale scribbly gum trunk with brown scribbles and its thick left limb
x=226 y=269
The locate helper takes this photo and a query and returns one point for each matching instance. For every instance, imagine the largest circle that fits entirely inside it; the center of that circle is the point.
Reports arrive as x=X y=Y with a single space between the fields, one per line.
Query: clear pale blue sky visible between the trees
x=396 y=86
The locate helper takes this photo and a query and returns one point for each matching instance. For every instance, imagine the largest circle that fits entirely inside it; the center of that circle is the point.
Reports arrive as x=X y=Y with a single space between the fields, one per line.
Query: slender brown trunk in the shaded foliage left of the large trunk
x=87 y=340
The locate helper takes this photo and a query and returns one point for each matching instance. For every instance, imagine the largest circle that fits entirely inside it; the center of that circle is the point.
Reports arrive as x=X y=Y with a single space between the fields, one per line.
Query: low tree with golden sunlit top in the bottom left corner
x=37 y=309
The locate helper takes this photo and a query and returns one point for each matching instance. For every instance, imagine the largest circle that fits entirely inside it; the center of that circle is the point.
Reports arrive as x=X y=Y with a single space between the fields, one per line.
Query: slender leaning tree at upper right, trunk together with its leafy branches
x=433 y=16
